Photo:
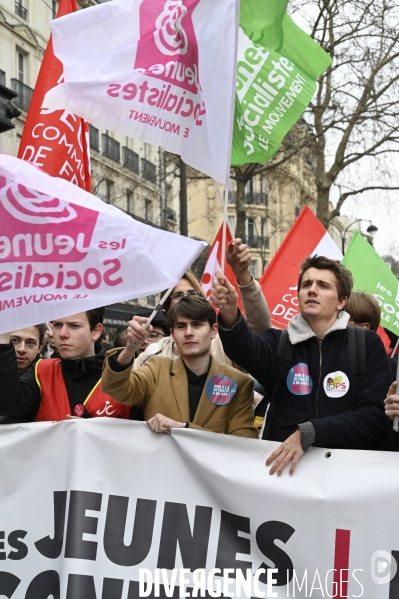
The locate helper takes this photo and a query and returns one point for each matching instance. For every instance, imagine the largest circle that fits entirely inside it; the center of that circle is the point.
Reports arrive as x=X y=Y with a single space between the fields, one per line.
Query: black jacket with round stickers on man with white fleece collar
x=353 y=420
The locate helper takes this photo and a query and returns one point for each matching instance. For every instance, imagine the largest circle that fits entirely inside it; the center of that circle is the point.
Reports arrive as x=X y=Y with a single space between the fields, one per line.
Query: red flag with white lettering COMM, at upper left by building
x=56 y=140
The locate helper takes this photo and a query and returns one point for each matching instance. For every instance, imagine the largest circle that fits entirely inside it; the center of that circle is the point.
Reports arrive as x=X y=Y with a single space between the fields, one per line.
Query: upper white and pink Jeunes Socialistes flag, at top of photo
x=162 y=71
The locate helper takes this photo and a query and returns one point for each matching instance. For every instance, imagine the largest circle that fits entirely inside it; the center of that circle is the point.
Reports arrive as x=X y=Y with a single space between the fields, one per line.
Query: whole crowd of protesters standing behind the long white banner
x=326 y=382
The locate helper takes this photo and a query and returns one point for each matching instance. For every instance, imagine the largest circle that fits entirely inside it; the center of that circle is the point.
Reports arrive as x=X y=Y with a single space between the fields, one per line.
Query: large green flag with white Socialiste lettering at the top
x=277 y=68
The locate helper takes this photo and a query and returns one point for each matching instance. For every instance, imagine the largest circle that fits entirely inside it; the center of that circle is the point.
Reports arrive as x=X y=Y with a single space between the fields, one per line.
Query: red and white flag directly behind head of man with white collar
x=306 y=237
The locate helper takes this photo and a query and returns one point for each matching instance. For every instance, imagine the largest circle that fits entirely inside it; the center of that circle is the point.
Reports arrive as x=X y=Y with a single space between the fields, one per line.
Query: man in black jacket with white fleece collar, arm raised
x=318 y=400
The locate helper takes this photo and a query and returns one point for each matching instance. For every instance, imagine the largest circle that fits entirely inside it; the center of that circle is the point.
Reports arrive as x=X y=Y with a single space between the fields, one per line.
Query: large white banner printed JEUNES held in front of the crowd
x=88 y=507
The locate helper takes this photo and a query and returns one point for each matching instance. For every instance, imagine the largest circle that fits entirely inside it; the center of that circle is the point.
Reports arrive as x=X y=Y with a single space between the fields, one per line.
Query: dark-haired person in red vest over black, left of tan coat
x=60 y=387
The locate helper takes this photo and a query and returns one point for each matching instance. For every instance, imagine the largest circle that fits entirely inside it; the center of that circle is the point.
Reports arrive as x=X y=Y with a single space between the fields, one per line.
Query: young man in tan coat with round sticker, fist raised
x=192 y=391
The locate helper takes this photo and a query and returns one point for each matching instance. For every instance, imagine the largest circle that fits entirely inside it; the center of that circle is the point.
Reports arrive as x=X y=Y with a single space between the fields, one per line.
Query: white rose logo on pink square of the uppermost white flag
x=170 y=36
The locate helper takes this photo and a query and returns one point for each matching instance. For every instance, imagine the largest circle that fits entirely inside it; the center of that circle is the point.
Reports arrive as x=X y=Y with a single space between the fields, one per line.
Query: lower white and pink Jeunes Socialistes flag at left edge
x=64 y=251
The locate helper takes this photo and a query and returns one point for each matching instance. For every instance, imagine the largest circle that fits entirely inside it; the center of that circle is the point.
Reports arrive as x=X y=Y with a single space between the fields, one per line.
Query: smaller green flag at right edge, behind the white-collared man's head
x=373 y=276
